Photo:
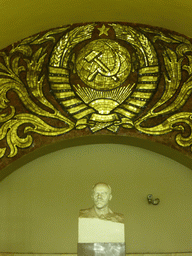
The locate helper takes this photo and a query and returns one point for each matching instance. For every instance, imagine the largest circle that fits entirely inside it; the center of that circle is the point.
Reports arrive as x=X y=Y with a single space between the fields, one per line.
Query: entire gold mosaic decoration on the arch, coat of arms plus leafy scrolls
x=103 y=76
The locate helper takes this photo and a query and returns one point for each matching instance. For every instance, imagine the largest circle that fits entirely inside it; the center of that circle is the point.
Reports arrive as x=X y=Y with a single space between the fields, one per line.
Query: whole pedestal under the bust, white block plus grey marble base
x=98 y=237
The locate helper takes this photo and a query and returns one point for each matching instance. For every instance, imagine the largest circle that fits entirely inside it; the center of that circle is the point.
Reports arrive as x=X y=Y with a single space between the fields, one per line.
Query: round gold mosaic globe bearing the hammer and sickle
x=103 y=64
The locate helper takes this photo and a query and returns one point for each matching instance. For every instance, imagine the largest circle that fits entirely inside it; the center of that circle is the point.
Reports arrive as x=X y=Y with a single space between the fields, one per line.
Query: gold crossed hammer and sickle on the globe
x=102 y=68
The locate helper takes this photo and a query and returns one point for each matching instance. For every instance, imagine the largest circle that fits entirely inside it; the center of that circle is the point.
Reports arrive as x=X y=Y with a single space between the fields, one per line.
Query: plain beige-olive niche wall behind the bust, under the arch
x=40 y=201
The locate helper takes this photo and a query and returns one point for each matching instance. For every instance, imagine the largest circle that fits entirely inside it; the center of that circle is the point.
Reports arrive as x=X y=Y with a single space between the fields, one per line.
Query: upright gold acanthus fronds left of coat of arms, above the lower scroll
x=11 y=81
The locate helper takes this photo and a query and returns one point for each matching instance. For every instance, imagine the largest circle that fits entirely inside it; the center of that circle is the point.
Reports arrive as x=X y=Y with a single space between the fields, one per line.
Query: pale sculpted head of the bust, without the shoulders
x=101 y=196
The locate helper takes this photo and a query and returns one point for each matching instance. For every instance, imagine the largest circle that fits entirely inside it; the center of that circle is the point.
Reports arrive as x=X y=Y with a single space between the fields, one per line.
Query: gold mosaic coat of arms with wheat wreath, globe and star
x=98 y=84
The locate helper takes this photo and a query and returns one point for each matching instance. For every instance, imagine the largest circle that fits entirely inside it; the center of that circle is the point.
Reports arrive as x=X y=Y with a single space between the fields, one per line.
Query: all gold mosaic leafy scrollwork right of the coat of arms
x=172 y=75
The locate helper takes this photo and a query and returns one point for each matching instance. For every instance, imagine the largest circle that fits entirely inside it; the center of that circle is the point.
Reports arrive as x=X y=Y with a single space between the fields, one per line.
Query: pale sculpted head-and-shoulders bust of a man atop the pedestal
x=101 y=195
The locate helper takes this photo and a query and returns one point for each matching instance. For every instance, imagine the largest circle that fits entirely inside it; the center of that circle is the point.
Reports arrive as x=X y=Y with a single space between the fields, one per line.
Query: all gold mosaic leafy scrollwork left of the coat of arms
x=10 y=80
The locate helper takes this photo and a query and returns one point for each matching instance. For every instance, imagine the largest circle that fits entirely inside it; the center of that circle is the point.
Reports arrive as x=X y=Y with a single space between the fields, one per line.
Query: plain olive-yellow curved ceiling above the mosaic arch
x=21 y=18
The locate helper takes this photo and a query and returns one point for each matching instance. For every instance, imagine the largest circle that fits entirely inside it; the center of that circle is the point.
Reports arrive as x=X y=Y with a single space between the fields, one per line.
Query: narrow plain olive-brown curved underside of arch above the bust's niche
x=103 y=139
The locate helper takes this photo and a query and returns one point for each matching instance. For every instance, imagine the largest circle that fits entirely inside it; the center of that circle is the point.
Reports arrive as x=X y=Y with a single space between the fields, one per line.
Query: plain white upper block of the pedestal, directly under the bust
x=94 y=230
